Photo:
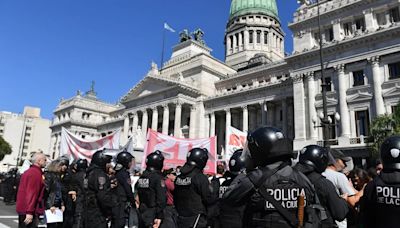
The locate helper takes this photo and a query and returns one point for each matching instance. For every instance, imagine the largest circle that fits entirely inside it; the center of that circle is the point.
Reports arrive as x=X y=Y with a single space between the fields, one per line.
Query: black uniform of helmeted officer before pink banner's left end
x=152 y=195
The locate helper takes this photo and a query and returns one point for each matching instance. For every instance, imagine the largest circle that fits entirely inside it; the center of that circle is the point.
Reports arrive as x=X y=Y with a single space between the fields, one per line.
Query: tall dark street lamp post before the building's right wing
x=325 y=123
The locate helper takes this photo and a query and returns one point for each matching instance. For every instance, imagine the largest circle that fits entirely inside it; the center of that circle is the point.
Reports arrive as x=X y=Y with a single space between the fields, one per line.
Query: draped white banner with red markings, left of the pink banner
x=76 y=148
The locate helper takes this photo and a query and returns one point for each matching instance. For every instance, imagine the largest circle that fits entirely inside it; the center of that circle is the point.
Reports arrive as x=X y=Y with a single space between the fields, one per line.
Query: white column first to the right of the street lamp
x=344 y=109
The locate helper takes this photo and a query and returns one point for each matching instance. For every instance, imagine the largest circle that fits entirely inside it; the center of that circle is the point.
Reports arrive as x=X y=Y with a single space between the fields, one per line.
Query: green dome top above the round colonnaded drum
x=242 y=7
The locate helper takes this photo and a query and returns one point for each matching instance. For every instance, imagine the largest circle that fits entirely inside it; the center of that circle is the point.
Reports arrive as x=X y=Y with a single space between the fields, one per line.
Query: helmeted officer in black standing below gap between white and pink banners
x=126 y=199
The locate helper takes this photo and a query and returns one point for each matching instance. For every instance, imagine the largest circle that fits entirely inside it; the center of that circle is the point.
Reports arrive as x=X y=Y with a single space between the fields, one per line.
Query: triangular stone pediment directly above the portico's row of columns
x=154 y=85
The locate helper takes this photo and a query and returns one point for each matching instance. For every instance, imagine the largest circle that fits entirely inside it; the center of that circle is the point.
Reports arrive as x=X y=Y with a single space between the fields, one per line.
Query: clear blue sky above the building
x=49 y=49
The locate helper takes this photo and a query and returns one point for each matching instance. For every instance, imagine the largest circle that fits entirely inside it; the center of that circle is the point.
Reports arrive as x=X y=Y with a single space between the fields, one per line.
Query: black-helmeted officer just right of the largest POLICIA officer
x=313 y=160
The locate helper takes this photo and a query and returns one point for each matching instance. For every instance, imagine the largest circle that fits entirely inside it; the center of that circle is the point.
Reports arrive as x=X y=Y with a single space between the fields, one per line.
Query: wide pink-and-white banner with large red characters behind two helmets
x=176 y=149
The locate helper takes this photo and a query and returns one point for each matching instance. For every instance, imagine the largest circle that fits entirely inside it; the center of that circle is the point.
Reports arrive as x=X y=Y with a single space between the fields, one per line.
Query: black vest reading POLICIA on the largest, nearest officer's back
x=312 y=214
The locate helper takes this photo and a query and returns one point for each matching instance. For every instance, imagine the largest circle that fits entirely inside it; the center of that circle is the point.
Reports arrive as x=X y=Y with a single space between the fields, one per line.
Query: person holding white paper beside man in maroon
x=53 y=195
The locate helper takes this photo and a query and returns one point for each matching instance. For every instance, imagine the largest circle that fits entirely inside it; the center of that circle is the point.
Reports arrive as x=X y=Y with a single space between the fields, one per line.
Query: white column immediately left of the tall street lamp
x=311 y=105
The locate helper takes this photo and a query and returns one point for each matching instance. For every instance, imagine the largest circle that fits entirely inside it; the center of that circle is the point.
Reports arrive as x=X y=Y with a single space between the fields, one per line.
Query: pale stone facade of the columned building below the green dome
x=194 y=95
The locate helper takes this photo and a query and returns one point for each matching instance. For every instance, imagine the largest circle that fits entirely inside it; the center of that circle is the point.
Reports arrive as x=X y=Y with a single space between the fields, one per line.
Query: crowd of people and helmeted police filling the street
x=260 y=187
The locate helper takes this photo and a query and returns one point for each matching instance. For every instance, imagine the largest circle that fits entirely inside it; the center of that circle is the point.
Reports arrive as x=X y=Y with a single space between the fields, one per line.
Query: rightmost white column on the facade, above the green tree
x=377 y=78
